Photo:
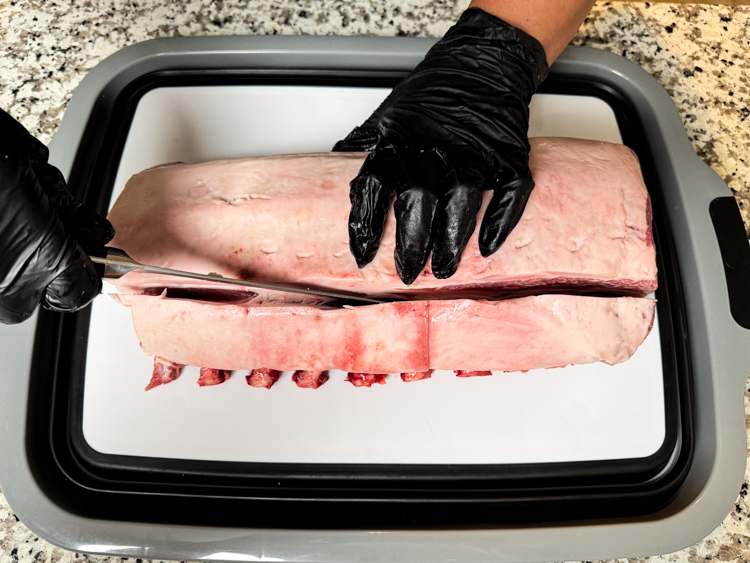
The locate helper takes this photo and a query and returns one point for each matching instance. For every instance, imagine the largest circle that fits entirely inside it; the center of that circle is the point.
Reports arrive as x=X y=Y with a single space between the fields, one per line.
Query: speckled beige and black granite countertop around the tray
x=698 y=53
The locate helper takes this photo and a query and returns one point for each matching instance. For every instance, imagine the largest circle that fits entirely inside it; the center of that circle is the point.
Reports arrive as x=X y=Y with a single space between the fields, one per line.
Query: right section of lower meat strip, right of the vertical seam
x=536 y=332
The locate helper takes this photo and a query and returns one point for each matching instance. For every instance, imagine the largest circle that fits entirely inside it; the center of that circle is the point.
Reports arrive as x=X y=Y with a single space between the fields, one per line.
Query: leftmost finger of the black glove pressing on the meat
x=370 y=195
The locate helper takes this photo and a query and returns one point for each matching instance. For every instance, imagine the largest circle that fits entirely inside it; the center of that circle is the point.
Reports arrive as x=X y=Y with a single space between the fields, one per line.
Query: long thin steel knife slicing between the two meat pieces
x=117 y=263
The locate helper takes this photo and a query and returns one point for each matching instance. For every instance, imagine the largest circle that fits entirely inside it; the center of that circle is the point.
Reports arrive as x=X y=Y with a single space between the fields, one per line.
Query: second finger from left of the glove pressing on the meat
x=415 y=209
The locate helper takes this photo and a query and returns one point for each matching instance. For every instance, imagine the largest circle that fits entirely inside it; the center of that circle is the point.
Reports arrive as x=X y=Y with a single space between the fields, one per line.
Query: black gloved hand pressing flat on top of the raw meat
x=455 y=126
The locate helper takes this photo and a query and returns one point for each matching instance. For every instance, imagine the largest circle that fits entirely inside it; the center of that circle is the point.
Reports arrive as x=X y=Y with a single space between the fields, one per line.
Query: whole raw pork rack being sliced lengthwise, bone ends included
x=568 y=286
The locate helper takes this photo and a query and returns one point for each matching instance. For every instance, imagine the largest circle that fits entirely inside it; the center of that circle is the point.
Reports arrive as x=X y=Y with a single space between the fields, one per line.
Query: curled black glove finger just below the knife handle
x=76 y=286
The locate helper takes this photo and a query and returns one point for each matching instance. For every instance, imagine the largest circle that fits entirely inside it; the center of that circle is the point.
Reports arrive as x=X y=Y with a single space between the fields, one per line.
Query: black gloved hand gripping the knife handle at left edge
x=40 y=231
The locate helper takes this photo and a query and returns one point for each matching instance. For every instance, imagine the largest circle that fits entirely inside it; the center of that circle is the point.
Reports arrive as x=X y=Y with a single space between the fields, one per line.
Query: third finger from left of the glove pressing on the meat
x=455 y=220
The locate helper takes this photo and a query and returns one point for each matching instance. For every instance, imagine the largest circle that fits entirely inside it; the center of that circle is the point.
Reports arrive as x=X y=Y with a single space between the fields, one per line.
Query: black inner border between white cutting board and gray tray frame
x=96 y=485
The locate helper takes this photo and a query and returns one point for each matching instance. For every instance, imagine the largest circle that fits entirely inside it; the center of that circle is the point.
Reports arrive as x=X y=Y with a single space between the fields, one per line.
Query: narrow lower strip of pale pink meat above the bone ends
x=514 y=334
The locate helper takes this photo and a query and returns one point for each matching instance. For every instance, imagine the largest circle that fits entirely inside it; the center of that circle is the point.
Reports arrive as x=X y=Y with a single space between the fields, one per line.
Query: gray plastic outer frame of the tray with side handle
x=720 y=348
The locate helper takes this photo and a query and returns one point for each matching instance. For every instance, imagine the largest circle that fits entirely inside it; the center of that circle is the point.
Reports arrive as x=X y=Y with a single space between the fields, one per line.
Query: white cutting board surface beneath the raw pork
x=576 y=413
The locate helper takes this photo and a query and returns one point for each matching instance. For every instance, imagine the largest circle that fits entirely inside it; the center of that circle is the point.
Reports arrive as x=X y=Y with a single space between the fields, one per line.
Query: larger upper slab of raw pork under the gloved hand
x=587 y=226
